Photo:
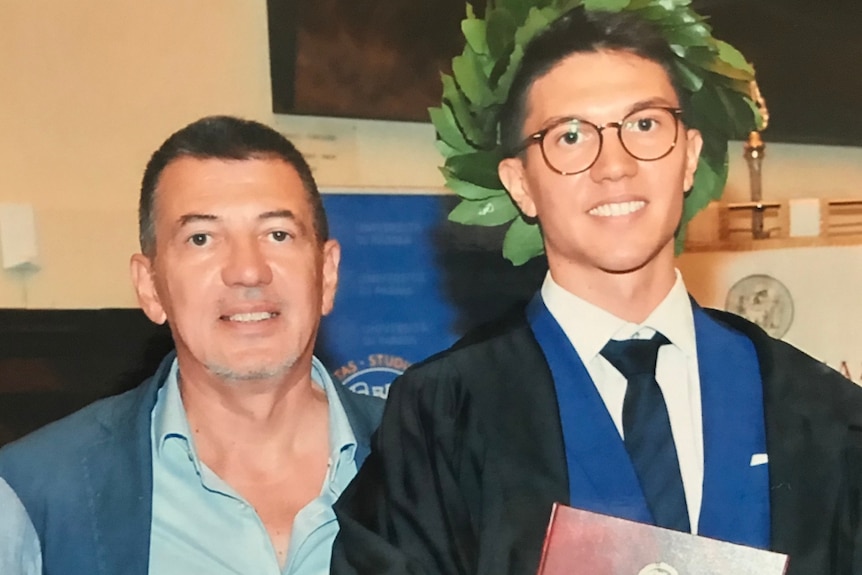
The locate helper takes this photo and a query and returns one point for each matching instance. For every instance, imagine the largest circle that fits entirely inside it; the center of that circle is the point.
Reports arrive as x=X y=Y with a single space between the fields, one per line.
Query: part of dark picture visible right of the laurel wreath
x=807 y=56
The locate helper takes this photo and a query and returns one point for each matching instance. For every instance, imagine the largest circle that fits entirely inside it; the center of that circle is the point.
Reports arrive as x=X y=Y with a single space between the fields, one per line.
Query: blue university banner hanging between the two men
x=410 y=284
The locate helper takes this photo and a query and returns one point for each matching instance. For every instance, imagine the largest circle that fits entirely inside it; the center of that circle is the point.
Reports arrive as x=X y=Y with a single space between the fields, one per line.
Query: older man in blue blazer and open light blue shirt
x=229 y=458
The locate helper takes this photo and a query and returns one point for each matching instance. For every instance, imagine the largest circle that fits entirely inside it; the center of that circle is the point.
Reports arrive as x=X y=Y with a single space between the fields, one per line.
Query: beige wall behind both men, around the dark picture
x=89 y=88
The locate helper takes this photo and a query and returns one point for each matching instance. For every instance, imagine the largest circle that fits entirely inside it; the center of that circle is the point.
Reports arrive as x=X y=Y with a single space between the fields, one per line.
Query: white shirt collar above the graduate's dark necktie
x=589 y=327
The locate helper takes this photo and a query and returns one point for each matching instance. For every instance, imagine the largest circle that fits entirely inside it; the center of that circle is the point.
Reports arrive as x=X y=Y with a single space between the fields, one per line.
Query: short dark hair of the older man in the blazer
x=225 y=138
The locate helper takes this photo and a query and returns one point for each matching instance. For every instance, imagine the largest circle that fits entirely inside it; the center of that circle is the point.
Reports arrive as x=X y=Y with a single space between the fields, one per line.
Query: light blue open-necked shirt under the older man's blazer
x=202 y=525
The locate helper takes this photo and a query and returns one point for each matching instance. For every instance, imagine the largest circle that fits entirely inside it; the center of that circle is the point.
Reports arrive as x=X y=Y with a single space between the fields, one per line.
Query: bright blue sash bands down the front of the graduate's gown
x=735 y=503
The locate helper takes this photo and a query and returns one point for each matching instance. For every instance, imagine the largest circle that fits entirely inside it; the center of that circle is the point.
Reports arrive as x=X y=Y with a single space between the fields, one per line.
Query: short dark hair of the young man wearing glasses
x=578 y=31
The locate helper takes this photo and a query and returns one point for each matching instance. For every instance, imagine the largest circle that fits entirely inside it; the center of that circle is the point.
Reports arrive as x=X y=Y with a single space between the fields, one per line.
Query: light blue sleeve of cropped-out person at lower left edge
x=20 y=553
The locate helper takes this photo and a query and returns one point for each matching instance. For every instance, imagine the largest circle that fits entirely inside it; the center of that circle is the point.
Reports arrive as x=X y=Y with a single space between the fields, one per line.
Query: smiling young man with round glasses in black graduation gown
x=613 y=391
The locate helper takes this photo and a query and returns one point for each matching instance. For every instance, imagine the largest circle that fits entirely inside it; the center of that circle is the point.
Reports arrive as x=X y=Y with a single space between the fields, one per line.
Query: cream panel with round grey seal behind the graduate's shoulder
x=806 y=296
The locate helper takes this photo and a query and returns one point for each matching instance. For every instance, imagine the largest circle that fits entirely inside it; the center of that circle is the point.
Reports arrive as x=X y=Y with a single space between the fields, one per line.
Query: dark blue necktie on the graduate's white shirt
x=646 y=429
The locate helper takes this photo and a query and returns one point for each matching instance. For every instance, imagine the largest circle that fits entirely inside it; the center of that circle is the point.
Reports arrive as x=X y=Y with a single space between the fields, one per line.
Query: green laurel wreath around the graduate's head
x=715 y=77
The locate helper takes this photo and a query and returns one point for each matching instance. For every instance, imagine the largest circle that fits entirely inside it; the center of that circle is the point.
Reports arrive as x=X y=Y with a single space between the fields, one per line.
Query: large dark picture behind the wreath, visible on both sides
x=381 y=59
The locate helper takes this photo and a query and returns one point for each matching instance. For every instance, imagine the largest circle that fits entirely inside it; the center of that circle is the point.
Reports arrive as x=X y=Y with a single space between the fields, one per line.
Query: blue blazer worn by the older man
x=87 y=480
